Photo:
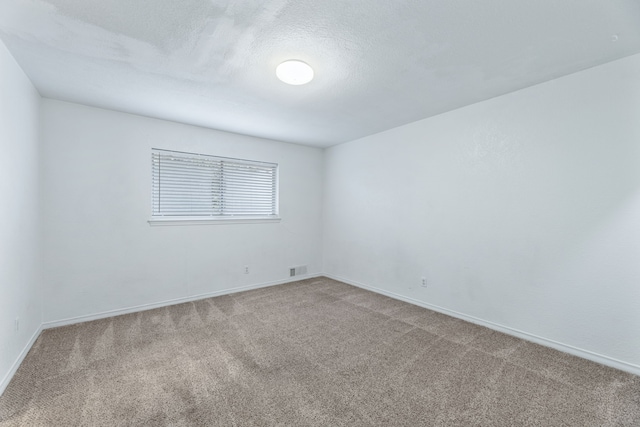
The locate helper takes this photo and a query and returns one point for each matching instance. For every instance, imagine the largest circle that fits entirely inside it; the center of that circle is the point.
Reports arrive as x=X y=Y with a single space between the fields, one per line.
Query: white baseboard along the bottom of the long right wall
x=585 y=354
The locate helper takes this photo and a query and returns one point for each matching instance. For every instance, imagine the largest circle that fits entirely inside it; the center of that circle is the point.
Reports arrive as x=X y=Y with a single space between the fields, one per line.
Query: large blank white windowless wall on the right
x=522 y=210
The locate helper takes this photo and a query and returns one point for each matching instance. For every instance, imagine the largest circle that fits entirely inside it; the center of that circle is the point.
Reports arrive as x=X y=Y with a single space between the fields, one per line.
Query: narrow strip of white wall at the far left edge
x=19 y=213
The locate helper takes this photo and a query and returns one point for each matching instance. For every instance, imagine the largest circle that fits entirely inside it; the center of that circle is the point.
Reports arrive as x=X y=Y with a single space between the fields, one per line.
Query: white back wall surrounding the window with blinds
x=100 y=253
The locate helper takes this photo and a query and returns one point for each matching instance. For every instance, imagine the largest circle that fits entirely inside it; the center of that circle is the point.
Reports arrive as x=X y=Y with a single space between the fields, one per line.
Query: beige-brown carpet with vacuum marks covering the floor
x=311 y=353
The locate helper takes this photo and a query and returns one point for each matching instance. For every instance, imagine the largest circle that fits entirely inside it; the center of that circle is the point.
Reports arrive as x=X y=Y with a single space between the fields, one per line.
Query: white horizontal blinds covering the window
x=188 y=184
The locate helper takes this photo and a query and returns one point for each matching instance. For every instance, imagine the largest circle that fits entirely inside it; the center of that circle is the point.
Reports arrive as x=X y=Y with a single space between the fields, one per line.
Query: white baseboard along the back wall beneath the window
x=144 y=307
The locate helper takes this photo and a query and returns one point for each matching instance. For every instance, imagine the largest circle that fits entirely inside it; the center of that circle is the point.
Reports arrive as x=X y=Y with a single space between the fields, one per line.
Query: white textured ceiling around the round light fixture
x=378 y=63
